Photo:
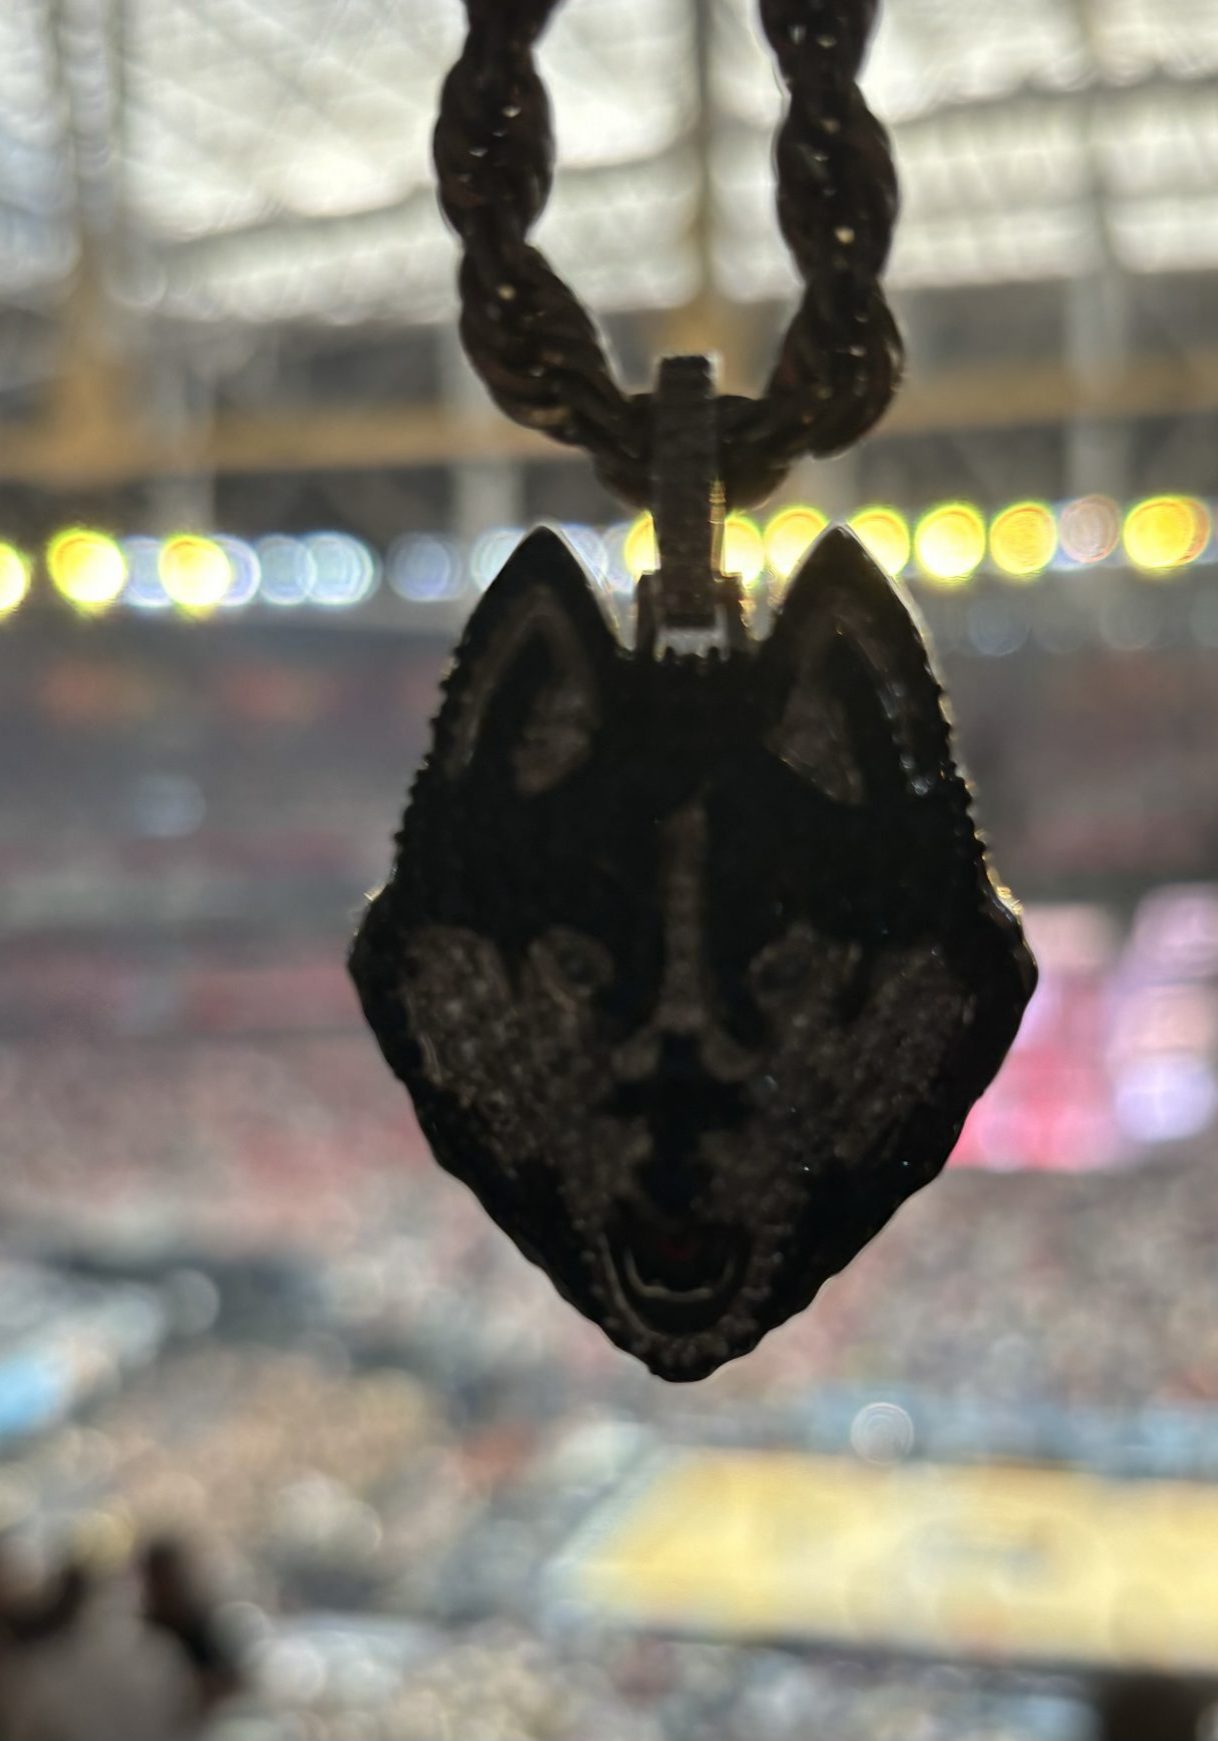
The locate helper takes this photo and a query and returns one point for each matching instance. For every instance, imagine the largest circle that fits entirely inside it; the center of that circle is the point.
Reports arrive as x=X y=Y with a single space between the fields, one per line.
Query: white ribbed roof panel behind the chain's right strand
x=1031 y=140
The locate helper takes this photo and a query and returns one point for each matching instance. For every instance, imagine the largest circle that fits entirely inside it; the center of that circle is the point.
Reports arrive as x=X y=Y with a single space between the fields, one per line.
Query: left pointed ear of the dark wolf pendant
x=526 y=696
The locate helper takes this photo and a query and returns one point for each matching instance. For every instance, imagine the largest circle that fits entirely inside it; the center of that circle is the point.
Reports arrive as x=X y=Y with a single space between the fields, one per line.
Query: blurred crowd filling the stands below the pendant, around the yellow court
x=384 y=1462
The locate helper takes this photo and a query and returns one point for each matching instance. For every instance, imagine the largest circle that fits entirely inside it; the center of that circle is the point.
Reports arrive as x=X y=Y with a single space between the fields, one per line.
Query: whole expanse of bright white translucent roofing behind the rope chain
x=269 y=159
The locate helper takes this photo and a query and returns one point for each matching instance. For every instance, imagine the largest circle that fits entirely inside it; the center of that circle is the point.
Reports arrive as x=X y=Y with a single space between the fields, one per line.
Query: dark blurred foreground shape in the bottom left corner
x=130 y=1657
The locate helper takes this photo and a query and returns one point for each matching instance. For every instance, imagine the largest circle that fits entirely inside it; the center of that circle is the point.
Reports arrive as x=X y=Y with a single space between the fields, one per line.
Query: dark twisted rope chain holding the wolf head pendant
x=533 y=342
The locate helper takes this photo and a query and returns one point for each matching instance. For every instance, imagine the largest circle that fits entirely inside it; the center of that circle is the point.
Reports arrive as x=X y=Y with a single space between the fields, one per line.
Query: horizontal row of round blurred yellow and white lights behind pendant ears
x=946 y=548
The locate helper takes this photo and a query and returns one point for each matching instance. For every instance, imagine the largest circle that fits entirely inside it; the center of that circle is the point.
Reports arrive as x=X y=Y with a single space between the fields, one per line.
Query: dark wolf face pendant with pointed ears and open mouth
x=693 y=967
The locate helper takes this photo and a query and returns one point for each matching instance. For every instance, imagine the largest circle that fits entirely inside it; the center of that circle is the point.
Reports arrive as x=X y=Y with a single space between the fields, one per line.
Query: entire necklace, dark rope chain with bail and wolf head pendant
x=692 y=958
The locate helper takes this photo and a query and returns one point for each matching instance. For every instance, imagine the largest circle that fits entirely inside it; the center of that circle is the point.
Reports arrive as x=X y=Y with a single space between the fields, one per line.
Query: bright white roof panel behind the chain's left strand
x=295 y=138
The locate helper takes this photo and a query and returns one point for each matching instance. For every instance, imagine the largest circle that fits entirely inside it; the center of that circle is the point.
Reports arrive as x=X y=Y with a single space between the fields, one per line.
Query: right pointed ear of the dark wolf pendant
x=857 y=708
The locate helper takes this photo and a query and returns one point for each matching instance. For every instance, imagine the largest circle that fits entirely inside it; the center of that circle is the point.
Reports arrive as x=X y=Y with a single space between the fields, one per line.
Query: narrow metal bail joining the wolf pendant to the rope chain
x=688 y=596
